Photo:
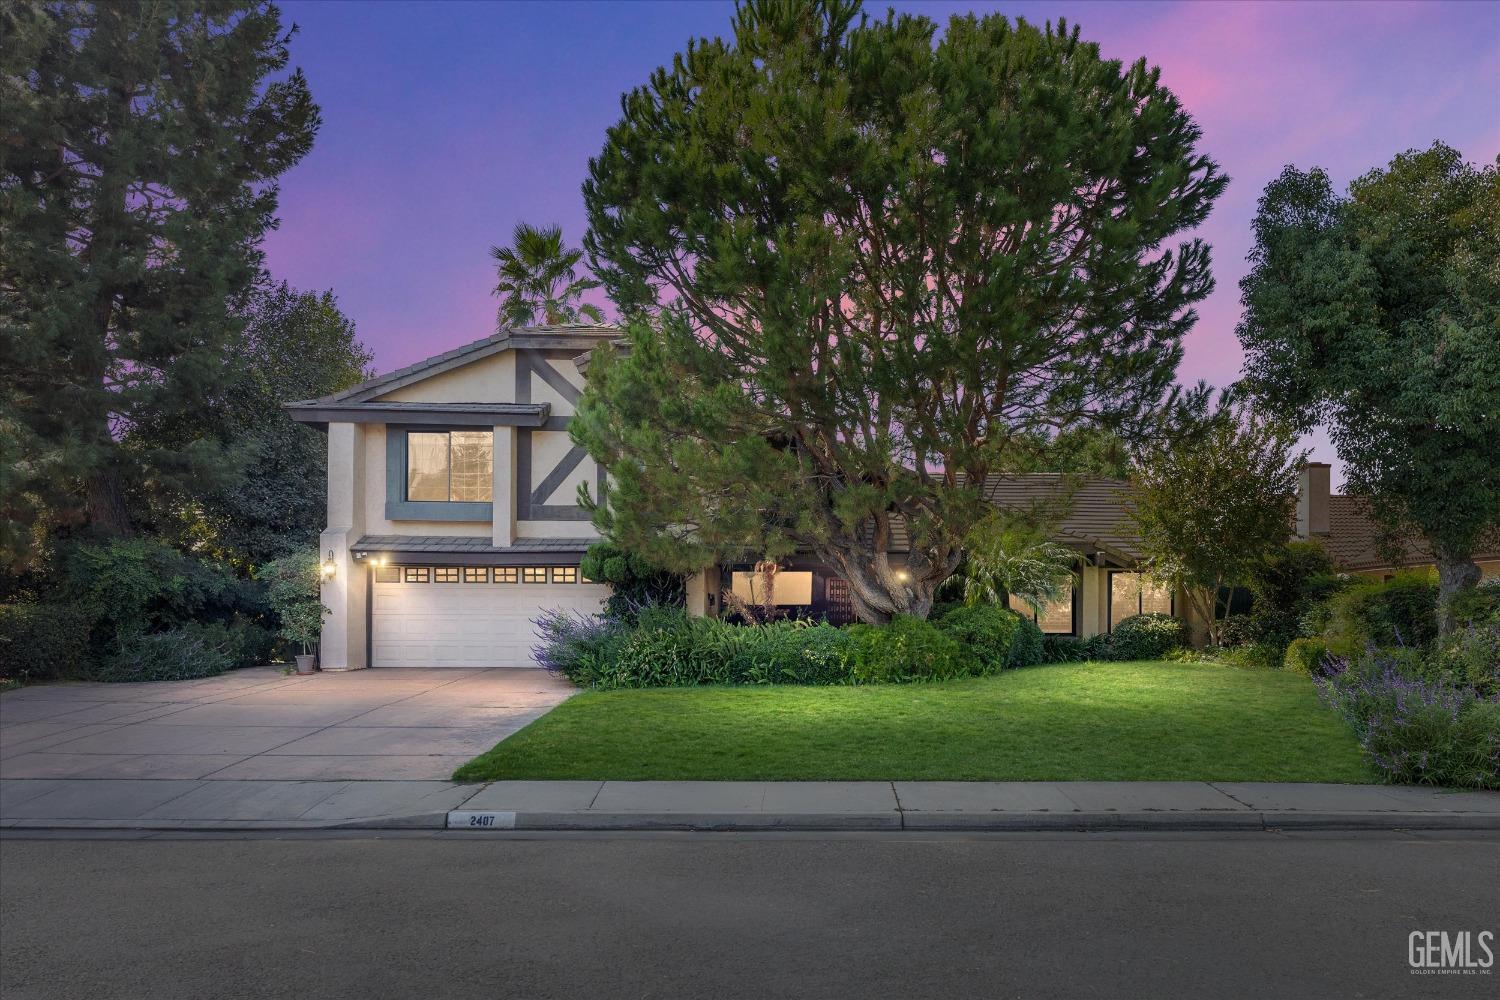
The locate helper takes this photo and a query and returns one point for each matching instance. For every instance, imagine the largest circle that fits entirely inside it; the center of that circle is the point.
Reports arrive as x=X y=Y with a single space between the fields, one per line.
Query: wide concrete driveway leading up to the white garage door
x=265 y=726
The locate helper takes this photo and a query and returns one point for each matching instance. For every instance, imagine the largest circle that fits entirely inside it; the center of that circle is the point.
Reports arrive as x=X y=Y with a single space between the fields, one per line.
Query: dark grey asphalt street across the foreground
x=739 y=915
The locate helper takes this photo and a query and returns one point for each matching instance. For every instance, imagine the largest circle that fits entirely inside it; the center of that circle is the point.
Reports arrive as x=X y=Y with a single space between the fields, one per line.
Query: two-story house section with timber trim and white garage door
x=454 y=512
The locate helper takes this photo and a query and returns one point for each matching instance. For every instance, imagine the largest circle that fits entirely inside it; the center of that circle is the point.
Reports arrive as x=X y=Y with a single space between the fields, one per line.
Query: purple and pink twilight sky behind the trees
x=446 y=124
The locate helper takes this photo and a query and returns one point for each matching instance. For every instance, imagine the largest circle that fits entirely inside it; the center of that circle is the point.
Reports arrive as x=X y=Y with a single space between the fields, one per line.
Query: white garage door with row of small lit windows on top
x=469 y=617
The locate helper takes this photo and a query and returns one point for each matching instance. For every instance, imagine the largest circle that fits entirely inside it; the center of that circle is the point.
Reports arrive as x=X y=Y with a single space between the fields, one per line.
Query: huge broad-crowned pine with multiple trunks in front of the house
x=860 y=265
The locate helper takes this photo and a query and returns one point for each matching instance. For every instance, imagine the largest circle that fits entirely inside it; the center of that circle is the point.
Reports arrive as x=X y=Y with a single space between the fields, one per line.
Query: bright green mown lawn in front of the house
x=1102 y=722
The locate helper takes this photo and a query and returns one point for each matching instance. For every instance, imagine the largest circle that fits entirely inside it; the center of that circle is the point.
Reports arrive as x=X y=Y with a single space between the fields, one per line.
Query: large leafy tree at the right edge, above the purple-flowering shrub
x=1379 y=316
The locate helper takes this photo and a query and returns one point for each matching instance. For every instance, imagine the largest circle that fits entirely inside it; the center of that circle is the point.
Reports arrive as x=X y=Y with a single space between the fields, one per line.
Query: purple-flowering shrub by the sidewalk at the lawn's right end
x=1417 y=731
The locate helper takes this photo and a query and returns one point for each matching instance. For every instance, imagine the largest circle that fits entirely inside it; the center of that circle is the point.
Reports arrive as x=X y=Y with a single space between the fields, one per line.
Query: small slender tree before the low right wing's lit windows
x=1213 y=506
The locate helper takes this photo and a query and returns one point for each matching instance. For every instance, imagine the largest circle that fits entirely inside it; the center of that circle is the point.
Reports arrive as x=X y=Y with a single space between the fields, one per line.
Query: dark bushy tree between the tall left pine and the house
x=296 y=346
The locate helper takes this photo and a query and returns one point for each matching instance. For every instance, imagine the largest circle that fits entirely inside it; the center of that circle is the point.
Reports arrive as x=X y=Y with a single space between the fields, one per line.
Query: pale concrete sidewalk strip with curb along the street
x=647 y=806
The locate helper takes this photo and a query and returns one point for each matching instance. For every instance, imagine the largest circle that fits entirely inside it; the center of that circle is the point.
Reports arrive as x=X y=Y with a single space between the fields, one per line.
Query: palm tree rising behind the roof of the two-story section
x=538 y=281
